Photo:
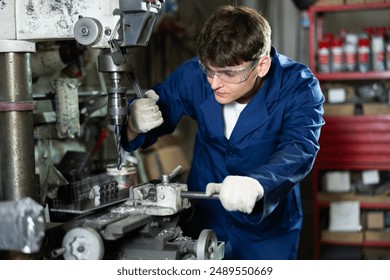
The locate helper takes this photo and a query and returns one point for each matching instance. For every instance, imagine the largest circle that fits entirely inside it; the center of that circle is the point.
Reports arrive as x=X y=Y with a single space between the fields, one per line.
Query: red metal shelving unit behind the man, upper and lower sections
x=348 y=143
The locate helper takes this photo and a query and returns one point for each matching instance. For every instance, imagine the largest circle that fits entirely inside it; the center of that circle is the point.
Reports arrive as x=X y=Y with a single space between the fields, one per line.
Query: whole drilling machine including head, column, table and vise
x=145 y=214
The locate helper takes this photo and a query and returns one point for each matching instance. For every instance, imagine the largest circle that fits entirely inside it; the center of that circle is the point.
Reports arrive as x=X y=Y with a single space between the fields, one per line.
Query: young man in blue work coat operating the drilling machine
x=259 y=116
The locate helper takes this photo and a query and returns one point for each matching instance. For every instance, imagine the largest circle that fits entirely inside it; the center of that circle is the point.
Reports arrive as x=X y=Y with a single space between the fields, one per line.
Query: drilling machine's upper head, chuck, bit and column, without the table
x=112 y=26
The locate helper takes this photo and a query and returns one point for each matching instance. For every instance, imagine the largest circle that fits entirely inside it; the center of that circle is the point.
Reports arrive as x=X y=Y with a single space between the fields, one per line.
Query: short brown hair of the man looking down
x=233 y=35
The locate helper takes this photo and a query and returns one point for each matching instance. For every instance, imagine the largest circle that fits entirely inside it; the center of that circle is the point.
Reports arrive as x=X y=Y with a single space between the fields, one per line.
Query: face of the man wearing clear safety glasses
x=238 y=83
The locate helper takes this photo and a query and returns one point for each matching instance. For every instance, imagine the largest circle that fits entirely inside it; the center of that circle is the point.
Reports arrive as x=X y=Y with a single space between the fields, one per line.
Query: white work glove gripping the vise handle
x=237 y=193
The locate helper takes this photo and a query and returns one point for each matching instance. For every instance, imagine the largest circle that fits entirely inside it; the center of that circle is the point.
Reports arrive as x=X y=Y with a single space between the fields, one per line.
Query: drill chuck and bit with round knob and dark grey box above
x=134 y=28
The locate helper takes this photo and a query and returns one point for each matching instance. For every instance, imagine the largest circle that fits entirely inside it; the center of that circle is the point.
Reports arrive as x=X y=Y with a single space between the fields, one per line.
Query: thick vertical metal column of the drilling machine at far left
x=16 y=122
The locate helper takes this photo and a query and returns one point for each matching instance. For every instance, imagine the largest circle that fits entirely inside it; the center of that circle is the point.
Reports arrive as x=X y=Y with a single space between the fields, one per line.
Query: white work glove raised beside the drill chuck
x=144 y=113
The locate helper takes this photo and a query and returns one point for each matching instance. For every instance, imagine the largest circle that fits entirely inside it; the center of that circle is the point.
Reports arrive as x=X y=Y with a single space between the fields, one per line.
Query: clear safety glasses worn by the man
x=231 y=75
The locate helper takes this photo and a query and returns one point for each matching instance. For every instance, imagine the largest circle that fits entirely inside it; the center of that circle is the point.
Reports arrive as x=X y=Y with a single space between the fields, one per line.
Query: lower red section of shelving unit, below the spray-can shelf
x=353 y=143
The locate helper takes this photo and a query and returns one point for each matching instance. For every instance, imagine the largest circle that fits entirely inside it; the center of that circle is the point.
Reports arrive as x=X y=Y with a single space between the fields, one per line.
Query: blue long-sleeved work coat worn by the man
x=274 y=141
